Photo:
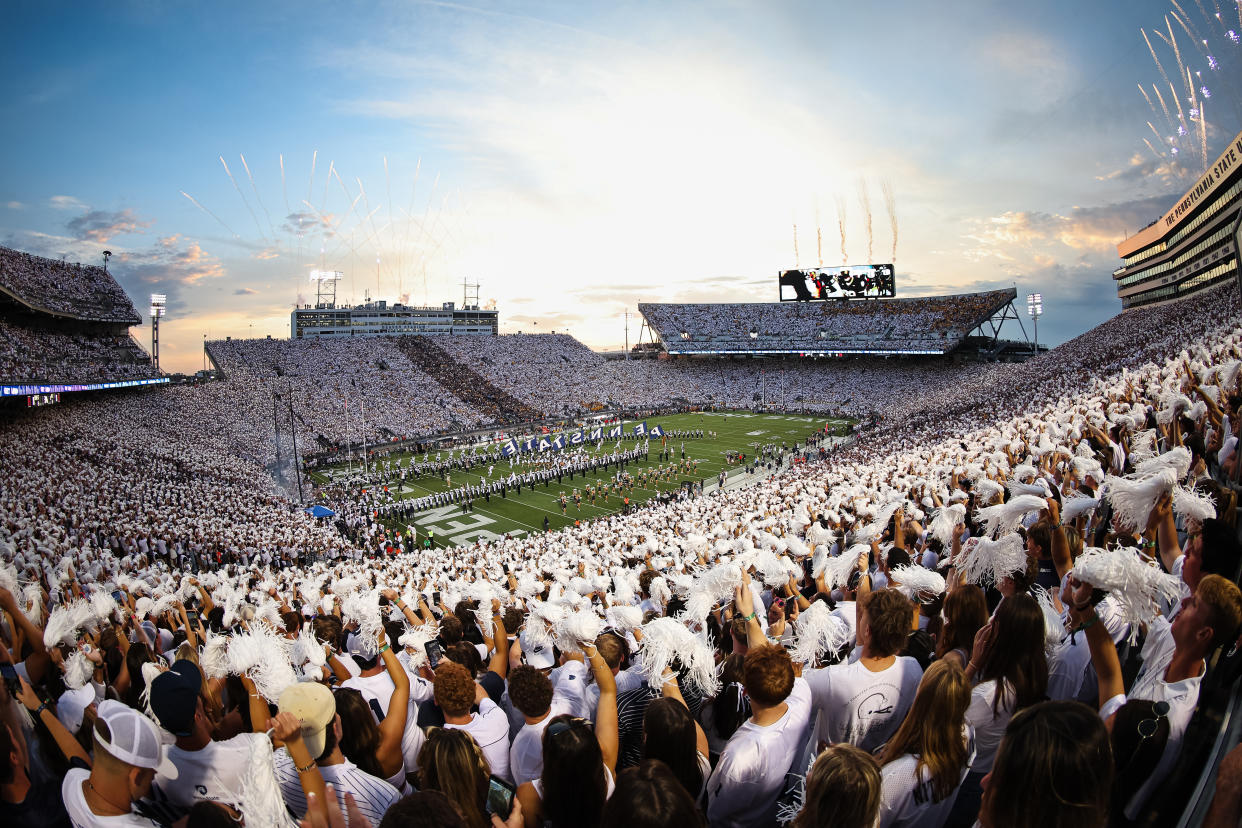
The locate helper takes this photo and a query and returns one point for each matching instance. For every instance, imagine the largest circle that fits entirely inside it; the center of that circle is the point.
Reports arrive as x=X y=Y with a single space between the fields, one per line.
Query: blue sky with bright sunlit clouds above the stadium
x=576 y=160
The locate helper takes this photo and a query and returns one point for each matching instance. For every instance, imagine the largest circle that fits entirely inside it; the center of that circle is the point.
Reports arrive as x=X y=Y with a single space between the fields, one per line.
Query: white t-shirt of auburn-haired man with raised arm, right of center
x=751 y=774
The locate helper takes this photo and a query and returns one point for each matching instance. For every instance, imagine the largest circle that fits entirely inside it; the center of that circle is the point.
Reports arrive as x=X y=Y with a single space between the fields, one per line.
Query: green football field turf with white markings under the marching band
x=521 y=515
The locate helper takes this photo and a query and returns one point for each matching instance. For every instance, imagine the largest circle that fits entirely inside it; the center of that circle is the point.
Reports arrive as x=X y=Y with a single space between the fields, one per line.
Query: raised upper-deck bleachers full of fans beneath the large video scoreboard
x=925 y=326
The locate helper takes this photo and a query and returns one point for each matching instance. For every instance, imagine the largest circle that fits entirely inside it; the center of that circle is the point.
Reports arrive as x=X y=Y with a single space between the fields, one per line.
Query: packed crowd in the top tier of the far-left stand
x=81 y=291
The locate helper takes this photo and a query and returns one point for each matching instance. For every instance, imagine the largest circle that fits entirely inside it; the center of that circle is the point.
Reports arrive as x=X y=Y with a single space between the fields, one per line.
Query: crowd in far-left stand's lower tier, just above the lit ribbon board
x=45 y=356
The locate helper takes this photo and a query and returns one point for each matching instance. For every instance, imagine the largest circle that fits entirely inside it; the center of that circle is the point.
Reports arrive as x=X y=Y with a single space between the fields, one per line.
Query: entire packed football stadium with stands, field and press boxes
x=853 y=557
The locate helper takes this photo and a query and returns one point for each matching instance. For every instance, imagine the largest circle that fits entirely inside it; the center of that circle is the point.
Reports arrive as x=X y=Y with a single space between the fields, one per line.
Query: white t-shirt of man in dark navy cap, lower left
x=217 y=773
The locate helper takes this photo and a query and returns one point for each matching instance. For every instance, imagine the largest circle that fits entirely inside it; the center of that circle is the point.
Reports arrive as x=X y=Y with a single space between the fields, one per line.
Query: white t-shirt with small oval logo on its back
x=860 y=707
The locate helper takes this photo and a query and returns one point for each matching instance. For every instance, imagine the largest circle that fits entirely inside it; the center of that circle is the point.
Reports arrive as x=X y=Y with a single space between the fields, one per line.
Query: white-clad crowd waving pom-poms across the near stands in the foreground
x=1025 y=574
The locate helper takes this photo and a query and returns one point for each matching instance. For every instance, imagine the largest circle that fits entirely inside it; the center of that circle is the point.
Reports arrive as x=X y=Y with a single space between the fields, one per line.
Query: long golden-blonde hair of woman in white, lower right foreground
x=933 y=729
